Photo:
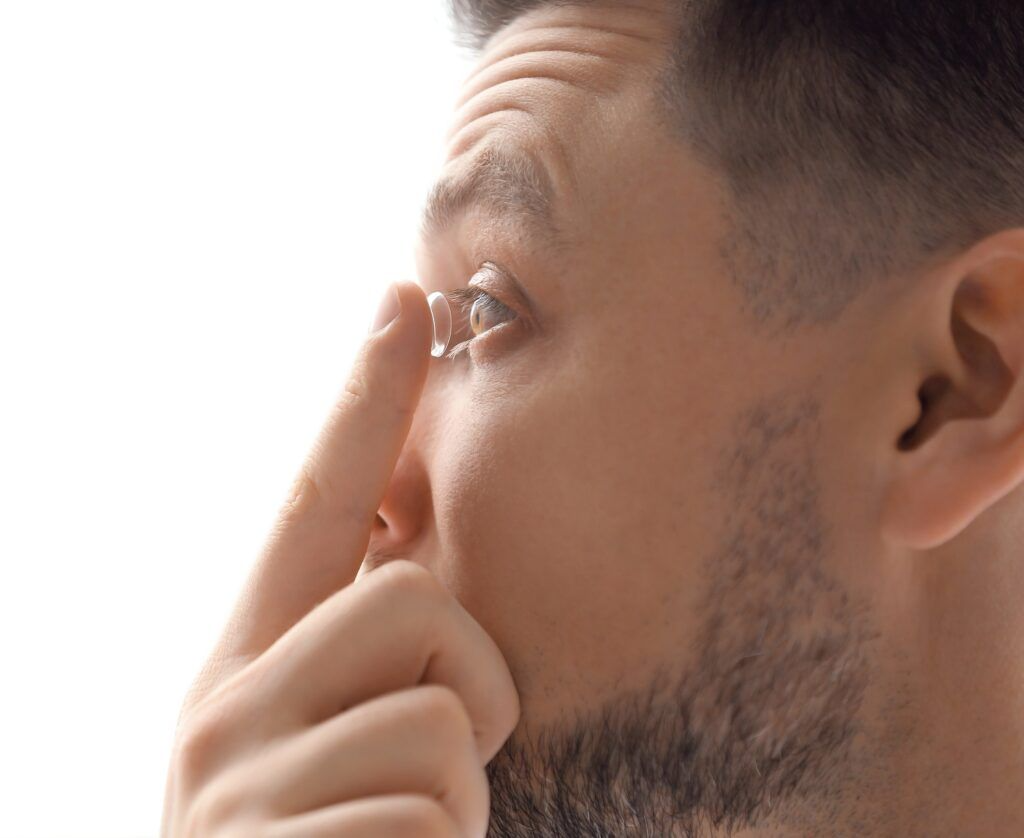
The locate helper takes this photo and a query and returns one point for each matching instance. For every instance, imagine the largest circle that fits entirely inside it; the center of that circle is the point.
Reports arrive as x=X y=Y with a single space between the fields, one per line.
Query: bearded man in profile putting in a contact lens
x=728 y=477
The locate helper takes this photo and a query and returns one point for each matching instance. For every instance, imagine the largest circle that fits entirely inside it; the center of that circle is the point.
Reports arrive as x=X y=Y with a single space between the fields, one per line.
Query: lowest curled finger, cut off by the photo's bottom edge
x=391 y=816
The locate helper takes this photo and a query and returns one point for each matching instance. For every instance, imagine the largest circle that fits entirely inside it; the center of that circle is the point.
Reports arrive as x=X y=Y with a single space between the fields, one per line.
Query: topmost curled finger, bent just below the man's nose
x=398 y=628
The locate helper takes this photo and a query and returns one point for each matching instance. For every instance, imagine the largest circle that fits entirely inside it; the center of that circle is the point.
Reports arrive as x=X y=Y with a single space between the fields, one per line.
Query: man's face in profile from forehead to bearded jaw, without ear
x=621 y=486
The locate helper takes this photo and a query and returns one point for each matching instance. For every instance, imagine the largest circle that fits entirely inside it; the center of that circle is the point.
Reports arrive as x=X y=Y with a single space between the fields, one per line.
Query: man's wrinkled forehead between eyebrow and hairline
x=563 y=83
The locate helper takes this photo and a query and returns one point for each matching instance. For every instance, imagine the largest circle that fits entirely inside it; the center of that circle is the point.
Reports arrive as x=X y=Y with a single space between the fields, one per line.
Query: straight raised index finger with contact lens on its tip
x=323 y=531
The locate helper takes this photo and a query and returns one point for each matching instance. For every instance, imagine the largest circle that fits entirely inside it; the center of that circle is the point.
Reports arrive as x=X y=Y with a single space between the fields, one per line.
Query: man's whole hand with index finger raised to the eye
x=336 y=708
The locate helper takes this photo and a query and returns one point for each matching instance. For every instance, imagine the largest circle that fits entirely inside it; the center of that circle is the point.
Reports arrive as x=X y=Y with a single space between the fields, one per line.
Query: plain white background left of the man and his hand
x=200 y=205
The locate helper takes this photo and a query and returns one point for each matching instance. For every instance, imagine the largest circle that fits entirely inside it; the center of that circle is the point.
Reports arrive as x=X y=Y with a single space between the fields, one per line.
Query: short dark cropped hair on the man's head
x=859 y=140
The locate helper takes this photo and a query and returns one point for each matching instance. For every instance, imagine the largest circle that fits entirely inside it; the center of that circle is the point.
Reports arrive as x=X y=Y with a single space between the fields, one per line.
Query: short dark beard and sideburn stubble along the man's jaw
x=763 y=722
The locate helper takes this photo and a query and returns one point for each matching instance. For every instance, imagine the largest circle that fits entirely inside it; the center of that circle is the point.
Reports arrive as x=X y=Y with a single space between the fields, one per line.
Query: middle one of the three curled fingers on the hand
x=417 y=741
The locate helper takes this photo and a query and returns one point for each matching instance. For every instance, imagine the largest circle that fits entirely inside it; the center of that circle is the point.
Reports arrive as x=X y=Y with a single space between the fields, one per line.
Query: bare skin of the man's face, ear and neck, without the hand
x=587 y=495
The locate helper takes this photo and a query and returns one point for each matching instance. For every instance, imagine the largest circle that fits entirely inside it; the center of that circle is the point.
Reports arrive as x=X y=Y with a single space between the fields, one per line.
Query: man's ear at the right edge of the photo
x=966 y=452
